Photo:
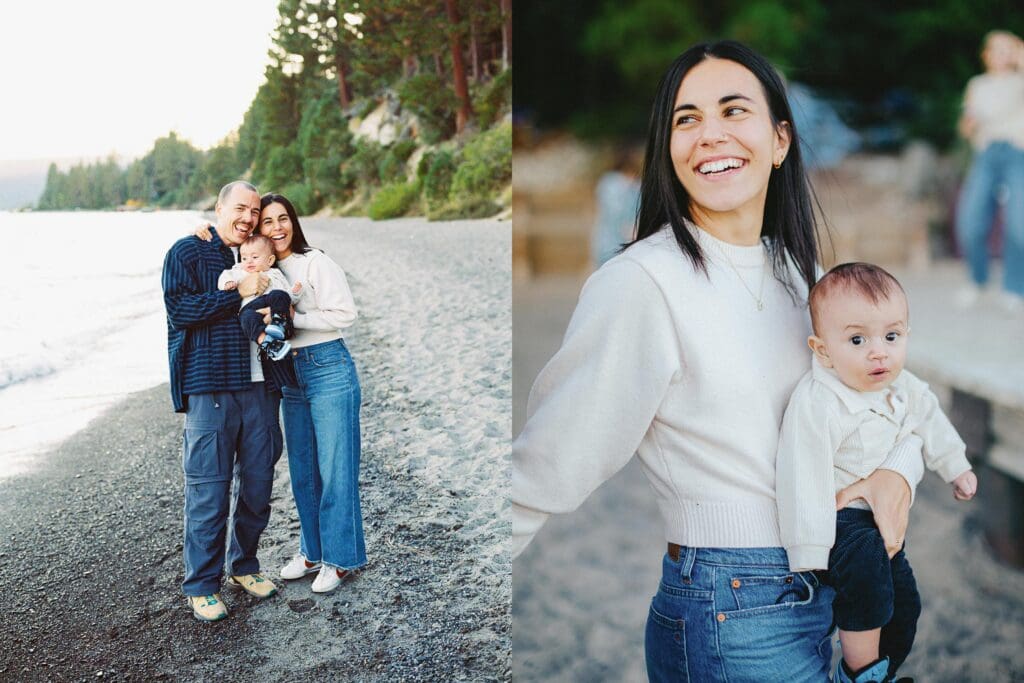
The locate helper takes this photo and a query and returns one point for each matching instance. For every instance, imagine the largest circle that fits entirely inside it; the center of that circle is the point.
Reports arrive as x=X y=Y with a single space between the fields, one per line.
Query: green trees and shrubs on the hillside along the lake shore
x=325 y=72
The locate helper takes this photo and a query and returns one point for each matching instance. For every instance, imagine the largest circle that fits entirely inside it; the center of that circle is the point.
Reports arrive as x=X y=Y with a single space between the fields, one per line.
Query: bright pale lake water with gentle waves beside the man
x=83 y=322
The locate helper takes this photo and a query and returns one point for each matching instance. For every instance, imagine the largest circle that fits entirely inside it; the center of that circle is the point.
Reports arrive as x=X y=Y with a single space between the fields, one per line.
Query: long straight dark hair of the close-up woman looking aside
x=789 y=219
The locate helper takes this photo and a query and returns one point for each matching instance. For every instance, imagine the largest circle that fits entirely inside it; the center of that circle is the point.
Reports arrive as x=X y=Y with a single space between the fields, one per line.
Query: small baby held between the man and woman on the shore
x=257 y=255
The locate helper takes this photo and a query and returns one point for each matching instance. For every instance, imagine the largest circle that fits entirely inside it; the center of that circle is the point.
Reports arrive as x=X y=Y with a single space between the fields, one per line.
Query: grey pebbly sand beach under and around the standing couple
x=91 y=554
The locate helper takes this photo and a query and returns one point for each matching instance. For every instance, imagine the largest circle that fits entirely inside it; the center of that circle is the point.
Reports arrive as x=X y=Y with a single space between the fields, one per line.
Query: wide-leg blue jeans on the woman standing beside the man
x=322 y=429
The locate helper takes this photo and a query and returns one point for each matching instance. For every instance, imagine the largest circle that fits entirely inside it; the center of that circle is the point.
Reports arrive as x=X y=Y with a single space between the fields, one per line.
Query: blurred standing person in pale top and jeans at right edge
x=994 y=122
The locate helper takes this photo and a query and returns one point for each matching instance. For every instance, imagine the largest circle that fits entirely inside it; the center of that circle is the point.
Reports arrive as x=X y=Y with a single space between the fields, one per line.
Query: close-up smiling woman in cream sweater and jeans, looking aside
x=685 y=350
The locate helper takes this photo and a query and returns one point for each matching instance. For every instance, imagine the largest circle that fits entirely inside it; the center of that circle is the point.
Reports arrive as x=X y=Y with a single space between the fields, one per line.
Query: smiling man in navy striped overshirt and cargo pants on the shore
x=232 y=429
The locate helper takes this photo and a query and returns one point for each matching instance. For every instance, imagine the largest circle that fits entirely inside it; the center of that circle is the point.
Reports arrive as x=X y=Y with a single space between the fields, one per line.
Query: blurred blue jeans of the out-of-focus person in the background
x=999 y=165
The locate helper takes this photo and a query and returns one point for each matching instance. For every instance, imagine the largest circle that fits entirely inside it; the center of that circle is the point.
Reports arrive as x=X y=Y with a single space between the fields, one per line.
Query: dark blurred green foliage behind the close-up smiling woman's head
x=899 y=64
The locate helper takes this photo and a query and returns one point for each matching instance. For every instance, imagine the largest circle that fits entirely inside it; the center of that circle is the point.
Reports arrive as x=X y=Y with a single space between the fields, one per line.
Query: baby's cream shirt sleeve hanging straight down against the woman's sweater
x=805 y=489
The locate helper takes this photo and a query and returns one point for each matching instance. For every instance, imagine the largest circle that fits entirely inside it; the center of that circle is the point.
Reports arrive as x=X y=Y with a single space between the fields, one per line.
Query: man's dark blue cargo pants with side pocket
x=229 y=436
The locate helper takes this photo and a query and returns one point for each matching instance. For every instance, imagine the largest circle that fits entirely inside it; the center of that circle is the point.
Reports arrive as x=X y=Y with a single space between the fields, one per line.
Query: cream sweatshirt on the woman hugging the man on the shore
x=326 y=306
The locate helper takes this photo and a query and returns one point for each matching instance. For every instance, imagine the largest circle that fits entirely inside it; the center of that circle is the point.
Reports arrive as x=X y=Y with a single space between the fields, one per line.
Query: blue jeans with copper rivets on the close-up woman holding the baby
x=738 y=615
